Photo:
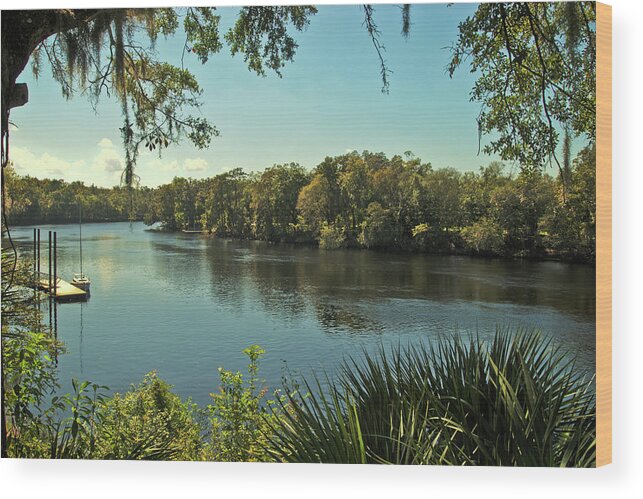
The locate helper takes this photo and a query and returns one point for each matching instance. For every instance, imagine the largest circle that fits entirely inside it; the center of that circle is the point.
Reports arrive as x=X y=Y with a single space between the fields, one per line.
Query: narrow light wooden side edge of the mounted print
x=603 y=234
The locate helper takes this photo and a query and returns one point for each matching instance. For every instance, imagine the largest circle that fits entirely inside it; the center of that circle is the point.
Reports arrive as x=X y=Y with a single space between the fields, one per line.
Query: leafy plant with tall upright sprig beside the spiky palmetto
x=239 y=422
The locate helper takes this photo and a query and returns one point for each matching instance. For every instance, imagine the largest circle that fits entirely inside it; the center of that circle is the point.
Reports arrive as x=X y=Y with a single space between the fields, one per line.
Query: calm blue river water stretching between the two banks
x=185 y=305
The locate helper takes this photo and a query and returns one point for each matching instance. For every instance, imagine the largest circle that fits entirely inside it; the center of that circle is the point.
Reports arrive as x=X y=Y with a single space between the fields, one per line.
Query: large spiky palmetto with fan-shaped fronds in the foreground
x=514 y=401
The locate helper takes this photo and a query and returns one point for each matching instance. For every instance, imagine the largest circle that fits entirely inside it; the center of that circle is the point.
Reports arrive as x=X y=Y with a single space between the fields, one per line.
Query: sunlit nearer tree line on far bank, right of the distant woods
x=370 y=201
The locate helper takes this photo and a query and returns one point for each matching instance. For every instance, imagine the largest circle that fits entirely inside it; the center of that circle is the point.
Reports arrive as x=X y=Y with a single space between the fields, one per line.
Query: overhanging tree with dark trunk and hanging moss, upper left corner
x=103 y=52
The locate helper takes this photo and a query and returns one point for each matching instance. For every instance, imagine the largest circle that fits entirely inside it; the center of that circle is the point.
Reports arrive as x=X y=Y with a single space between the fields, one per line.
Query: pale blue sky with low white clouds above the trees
x=328 y=102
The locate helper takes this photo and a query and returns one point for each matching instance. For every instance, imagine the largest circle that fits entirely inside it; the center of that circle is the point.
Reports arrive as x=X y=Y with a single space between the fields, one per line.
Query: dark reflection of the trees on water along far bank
x=288 y=278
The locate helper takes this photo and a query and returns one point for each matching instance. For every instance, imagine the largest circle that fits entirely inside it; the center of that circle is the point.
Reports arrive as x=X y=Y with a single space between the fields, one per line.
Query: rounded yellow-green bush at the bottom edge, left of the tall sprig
x=149 y=422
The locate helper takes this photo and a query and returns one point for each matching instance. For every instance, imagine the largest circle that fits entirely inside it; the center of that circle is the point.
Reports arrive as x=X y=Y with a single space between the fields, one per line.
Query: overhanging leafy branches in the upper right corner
x=537 y=76
